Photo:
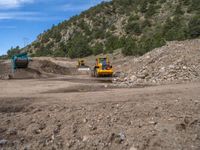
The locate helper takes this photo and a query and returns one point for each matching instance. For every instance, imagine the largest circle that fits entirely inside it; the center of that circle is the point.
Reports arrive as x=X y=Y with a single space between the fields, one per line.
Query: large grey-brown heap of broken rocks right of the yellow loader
x=174 y=63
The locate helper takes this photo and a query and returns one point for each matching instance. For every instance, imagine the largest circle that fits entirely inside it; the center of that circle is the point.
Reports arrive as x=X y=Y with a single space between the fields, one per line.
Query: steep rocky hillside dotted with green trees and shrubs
x=136 y=26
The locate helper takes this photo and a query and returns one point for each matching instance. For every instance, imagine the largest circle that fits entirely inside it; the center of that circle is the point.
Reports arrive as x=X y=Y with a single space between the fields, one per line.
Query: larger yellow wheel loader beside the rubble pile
x=102 y=68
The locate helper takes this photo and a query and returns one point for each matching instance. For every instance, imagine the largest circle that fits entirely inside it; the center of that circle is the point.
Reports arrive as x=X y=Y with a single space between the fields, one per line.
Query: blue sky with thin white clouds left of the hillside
x=22 y=20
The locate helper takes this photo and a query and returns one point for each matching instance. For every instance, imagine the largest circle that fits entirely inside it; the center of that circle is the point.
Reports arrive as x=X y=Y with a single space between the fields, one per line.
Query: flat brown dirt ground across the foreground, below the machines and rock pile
x=82 y=113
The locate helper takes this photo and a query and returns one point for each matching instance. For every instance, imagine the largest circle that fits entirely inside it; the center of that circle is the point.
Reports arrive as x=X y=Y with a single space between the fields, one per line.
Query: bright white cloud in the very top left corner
x=7 y=4
